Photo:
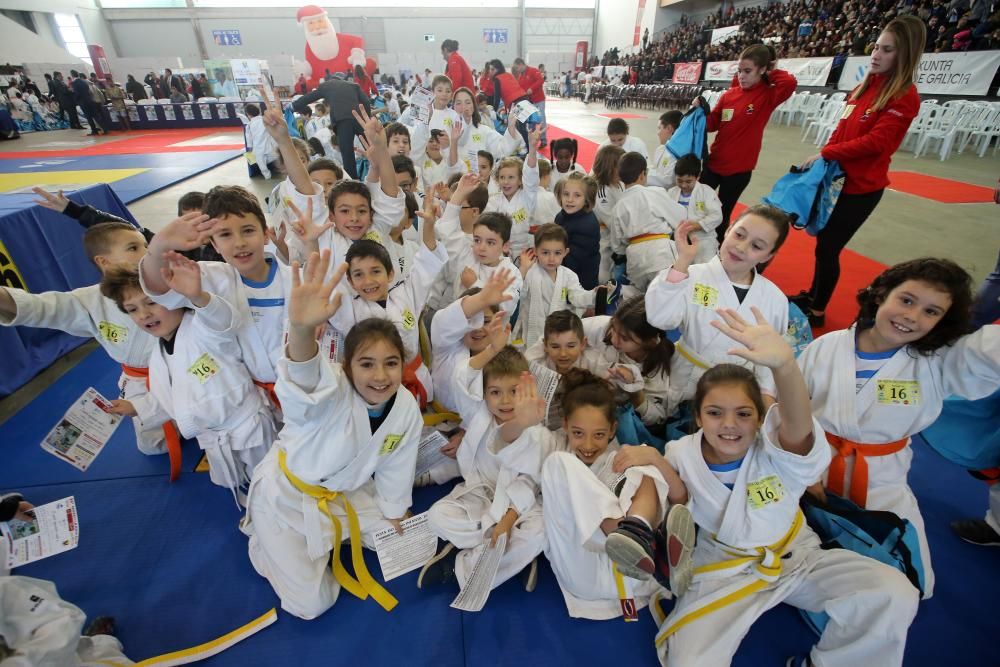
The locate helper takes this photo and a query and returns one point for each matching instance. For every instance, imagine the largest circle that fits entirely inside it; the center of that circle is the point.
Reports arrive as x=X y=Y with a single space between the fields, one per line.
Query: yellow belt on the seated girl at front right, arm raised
x=767 y=568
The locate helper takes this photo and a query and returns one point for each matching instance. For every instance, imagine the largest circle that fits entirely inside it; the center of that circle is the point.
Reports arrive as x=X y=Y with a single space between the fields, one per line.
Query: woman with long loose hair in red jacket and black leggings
x=878 y=114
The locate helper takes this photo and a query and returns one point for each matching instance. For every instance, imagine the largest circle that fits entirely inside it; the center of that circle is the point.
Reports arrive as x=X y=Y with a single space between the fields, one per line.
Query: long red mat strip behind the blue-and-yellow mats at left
x=144 y=141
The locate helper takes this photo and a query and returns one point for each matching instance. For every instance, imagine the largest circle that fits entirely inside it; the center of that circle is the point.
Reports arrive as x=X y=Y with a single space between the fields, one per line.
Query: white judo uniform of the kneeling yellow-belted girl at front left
x=326 y=441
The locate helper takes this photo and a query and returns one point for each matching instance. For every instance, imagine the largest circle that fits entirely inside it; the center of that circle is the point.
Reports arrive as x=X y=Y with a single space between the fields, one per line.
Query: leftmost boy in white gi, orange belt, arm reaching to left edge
x=86 y=312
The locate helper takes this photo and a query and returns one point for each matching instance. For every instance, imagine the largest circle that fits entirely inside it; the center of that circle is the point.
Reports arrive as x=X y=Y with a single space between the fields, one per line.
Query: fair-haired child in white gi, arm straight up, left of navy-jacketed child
x=518 y=192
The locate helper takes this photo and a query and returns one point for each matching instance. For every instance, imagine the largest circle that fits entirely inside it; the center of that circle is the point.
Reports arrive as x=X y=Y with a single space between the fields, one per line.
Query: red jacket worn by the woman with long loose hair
x=865 y=139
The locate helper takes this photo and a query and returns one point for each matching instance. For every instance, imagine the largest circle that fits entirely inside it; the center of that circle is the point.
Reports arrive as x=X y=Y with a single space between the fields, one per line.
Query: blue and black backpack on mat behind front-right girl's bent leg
x=840 y=524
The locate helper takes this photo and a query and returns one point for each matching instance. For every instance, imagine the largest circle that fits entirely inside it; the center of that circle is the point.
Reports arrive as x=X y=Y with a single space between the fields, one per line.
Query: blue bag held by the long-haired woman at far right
x=809 y=196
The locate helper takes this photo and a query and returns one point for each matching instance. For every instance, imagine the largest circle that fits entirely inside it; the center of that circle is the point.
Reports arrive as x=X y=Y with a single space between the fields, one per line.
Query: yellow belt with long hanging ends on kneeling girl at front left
x=364 y=584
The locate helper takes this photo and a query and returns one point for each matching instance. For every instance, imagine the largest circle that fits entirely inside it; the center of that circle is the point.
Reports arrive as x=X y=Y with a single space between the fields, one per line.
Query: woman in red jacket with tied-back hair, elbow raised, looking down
x=740 y=117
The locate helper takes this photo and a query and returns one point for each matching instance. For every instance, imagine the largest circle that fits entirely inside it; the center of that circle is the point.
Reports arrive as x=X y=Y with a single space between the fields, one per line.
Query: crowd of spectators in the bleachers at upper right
x=802 y=29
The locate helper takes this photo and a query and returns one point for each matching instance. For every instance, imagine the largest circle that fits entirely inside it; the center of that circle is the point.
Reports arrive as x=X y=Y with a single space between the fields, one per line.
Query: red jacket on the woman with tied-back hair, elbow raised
x=740 y=117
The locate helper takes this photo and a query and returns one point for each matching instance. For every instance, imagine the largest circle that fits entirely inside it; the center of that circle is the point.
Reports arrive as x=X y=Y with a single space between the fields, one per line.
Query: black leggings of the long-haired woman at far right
x=846 y=219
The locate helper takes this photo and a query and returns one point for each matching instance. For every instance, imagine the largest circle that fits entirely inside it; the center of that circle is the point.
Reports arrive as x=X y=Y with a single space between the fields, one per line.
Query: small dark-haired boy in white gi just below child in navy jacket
x=548 y=285
